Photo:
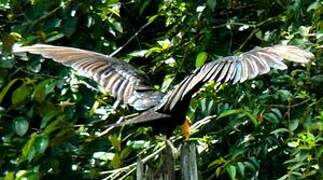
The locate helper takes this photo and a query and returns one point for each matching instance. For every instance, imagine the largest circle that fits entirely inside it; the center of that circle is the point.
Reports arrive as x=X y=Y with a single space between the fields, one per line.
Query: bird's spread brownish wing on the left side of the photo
x=120 y=79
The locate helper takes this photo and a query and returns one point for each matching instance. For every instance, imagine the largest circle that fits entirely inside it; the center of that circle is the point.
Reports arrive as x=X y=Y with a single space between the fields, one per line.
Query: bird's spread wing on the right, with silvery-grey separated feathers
x=235 y=69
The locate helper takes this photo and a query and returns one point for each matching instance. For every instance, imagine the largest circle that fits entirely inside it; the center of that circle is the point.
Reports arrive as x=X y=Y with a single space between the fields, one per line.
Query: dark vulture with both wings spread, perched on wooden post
x=165 y=111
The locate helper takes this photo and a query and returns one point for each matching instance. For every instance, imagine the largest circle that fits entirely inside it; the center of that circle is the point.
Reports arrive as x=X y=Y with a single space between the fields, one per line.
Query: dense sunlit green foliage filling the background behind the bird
x=54 y=123
